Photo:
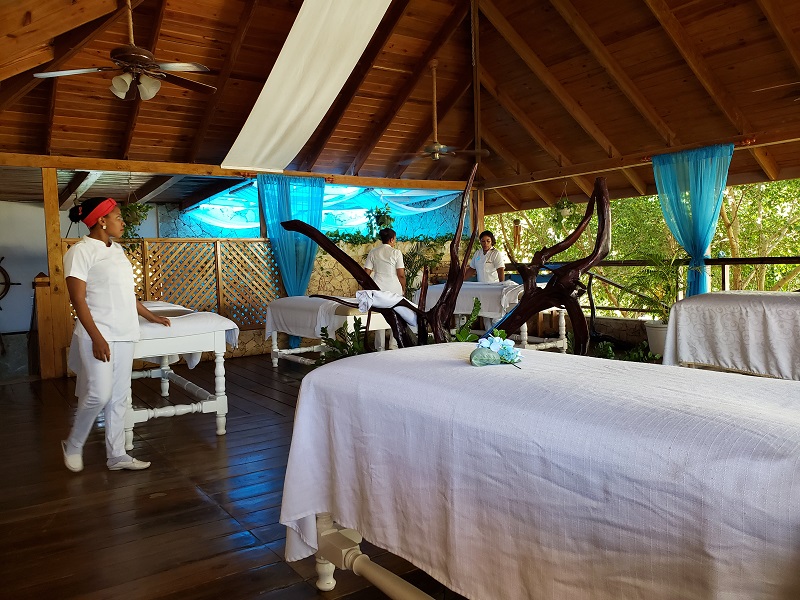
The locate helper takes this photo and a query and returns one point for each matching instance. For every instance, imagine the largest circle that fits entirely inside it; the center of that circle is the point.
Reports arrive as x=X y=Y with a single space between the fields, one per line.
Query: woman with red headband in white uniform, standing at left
x=101 y=287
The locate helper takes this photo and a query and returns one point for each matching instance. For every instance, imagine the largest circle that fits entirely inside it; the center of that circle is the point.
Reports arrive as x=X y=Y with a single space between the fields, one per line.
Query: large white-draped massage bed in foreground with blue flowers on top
x=570 y=478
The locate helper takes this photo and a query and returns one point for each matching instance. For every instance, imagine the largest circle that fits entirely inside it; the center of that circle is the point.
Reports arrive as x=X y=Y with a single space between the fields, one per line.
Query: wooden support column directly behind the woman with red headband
x=61 y=326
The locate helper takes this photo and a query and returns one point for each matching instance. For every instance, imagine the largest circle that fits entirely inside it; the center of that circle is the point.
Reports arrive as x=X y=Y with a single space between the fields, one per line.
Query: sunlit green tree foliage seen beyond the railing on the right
x=756 y=220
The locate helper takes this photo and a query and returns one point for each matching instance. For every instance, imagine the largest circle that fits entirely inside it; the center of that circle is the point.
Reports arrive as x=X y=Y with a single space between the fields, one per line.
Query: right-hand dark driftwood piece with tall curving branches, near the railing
x=562 y=289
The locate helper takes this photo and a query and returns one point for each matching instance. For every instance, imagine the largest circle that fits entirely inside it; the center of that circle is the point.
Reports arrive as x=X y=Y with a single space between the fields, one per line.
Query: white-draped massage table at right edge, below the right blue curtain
x=757 y=333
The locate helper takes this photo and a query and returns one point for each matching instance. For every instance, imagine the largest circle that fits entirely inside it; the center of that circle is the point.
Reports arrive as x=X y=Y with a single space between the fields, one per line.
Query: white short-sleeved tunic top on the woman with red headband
x=109 y=288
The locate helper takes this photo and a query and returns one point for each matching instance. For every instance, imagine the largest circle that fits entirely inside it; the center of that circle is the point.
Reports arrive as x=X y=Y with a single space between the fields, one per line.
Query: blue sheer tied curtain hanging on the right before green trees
x=690 y=186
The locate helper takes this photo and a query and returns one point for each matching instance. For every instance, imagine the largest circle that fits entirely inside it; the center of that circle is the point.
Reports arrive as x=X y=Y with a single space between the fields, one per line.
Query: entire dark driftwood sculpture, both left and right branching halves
x=561 y=291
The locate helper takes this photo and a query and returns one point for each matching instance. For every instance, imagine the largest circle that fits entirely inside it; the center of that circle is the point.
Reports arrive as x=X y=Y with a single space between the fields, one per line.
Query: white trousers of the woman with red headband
x=103 y=386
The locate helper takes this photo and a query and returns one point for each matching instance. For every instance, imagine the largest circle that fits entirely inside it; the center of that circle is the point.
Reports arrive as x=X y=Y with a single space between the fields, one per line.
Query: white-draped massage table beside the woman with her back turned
x=304 y=316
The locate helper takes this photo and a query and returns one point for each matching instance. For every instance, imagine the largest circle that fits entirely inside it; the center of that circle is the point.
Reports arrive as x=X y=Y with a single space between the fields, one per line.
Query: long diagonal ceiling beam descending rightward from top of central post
x=551 y=82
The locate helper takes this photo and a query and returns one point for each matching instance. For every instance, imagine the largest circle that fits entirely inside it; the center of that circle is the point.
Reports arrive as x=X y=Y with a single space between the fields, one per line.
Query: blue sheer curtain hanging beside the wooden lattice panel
x=282 y=199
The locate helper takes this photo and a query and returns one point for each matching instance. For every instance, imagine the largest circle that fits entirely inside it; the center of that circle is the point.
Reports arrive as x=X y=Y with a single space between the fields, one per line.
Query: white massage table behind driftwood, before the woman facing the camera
x=496 y=300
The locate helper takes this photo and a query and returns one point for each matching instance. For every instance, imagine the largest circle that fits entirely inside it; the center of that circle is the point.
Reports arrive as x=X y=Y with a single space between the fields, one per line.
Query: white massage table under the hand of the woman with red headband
x=190 y=334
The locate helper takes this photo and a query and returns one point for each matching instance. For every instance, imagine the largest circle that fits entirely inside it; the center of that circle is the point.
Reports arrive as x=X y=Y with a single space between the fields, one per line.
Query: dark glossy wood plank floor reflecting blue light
x=202 y=522
